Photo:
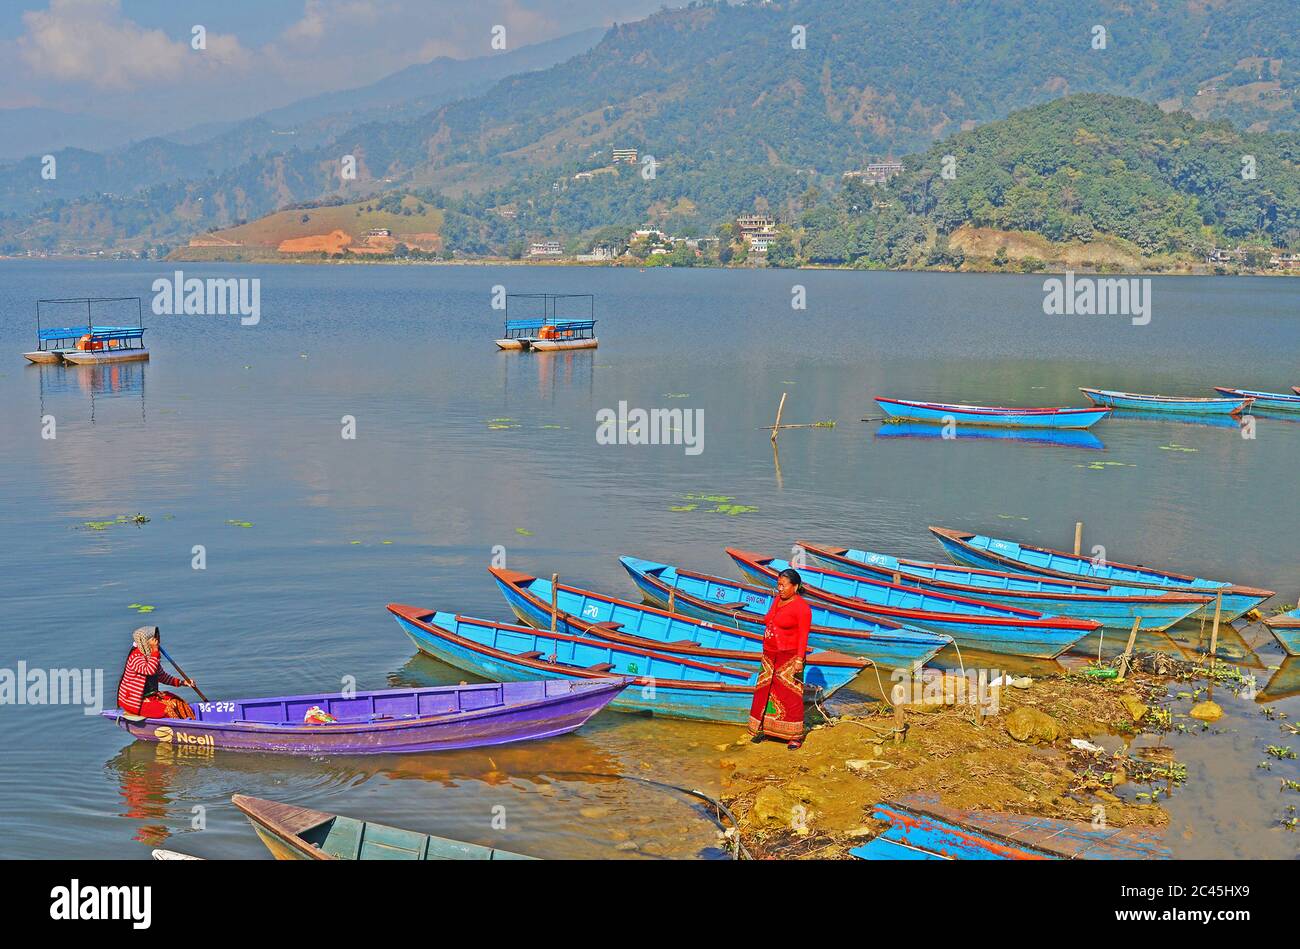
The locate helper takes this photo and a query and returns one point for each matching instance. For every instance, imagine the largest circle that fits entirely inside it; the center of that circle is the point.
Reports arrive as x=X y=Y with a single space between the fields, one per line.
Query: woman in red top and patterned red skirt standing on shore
x=778 y=708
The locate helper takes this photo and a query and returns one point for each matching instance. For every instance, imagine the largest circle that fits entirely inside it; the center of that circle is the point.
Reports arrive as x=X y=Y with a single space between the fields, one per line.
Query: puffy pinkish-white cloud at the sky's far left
x=90 y=41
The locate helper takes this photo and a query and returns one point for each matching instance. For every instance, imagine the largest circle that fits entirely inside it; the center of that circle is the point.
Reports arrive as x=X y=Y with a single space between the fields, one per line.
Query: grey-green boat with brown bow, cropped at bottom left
x=300 y=834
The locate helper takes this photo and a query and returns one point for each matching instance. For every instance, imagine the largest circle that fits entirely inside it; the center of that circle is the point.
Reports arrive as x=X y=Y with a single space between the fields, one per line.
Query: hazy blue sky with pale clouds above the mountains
x=132 y=60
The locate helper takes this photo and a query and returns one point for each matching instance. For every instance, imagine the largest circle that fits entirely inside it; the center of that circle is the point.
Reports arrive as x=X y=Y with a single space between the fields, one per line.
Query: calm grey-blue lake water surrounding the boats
x=461 y=448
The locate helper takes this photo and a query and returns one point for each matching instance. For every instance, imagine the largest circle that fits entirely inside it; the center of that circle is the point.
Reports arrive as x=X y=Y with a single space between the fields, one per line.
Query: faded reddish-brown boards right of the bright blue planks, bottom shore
x=1069 y=839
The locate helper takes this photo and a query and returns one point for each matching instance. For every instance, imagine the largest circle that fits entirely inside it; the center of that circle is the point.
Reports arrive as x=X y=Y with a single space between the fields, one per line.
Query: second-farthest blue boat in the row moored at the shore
x=1113 y=606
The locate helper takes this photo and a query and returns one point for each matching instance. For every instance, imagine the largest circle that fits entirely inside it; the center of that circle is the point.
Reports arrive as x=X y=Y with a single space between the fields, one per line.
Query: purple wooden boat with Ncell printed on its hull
x=387 y=722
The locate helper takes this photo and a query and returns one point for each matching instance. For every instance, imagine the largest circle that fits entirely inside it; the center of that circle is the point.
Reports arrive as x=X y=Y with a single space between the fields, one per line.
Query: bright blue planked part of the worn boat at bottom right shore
x=916 y=837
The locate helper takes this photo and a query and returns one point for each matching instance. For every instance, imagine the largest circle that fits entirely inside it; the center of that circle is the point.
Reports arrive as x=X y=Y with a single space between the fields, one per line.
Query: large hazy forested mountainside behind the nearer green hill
x=744 y=103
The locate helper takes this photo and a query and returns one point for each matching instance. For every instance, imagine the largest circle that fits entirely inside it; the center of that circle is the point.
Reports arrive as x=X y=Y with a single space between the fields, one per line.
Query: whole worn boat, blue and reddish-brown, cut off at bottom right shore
x=929 y=825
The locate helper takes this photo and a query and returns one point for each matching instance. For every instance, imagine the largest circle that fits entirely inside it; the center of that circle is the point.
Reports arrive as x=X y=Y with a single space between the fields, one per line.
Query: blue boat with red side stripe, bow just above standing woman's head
x=973 y=623
